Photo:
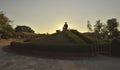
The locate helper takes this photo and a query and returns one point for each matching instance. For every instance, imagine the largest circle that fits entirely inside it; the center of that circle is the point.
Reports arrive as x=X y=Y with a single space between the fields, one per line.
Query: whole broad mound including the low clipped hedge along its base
x=67 y=41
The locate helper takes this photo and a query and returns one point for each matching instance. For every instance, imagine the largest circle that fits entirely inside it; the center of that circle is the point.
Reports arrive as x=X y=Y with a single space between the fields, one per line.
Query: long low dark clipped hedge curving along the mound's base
x=53 y=47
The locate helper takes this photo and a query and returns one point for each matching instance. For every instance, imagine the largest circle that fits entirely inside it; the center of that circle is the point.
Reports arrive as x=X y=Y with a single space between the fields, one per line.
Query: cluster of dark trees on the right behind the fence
x=109 y=29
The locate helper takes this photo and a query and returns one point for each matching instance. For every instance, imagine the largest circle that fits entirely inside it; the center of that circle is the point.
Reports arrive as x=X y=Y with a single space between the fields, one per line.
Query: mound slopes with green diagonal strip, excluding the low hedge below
x=64 y=37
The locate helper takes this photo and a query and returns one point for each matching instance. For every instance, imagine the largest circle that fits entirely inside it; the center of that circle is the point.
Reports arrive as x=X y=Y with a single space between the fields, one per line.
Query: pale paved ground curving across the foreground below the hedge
x=11 y=61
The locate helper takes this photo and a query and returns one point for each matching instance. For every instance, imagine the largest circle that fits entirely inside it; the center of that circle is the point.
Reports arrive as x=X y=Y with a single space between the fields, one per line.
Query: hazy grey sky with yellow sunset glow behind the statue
x=49 y=15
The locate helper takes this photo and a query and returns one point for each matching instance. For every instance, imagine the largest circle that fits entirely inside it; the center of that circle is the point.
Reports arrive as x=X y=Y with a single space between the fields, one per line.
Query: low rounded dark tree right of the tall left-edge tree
x=24 y=29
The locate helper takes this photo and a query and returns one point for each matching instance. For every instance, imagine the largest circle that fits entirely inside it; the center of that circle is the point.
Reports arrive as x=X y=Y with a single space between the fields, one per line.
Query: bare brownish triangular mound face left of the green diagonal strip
x=57 y=38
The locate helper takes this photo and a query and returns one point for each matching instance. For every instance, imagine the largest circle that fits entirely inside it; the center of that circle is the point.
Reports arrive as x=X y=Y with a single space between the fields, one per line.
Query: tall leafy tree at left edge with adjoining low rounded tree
x=6 y=28
